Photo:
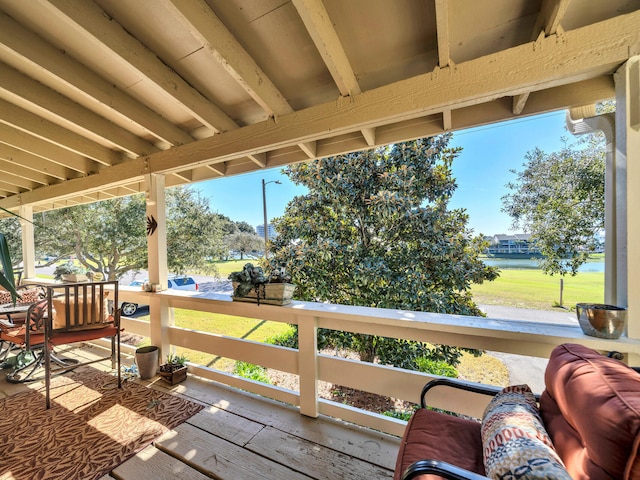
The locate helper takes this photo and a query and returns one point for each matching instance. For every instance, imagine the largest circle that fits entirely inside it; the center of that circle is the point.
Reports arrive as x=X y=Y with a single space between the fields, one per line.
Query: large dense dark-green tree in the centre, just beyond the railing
x=375 y=230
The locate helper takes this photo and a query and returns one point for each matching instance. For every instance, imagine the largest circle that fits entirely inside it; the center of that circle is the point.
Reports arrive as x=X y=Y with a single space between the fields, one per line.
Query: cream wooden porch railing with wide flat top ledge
x=518 y=337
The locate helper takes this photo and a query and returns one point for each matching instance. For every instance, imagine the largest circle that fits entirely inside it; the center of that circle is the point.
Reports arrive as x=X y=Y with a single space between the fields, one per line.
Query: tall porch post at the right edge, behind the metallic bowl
x=627 y=81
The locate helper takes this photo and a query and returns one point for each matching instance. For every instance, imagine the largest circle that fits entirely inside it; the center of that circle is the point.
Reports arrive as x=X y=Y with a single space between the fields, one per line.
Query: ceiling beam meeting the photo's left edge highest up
x=25 y=46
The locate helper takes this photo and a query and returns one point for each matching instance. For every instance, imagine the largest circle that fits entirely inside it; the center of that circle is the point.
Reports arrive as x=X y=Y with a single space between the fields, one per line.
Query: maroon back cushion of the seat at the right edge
x=591 y=408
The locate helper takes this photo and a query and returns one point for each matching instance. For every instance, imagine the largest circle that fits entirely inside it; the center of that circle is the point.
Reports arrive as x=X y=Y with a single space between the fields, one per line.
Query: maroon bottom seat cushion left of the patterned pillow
x=437 y=436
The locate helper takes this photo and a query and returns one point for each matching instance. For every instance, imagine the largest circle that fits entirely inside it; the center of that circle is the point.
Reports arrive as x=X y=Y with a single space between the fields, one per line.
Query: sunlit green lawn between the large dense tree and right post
x=533 y=289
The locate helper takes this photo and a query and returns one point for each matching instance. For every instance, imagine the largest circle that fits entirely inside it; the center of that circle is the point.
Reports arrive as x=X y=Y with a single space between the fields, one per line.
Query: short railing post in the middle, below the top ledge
x=308 y=367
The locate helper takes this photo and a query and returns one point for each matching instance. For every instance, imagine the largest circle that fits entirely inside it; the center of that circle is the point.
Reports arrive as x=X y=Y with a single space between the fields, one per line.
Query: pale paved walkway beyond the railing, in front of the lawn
x=522 y=369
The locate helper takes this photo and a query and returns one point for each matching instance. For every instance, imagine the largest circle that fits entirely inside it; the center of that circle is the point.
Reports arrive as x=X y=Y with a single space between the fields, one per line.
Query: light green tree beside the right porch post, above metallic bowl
x=558 y=198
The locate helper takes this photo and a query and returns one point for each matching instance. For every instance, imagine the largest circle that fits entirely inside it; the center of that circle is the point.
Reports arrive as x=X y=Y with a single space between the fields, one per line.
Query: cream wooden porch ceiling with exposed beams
x=94 y=95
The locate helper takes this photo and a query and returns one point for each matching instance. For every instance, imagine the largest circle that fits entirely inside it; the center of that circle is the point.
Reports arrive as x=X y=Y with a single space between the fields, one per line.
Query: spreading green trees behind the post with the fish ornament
x=110 y=236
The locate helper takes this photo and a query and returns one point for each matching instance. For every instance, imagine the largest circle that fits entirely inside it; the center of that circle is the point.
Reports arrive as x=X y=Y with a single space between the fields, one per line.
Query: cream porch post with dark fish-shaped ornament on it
x=161 y=316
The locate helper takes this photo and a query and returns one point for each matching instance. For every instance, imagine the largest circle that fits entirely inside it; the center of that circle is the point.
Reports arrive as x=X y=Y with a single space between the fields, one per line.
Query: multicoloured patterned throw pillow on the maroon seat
x=514 y=440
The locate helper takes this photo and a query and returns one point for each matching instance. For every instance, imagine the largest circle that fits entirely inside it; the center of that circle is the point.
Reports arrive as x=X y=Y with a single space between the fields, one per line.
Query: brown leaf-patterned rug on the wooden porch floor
x=91 y=428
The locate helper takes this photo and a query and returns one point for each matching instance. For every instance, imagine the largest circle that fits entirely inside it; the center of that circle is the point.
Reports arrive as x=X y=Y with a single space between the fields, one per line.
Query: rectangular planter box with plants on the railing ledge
x=253 y=285
